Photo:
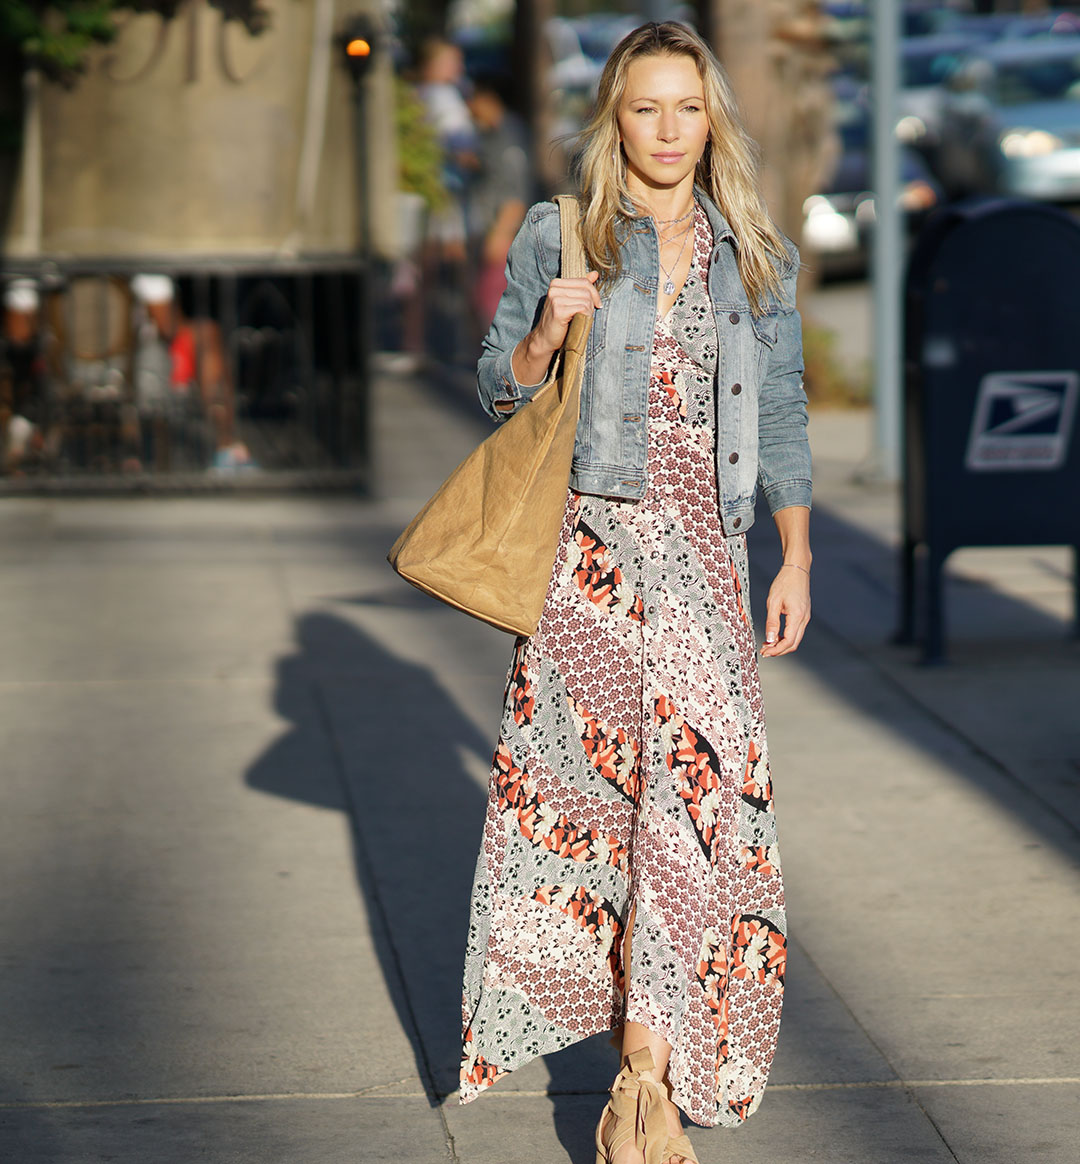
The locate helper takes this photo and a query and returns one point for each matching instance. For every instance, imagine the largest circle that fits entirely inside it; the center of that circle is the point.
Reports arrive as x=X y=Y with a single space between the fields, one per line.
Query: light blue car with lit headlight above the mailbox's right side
x=1011 y=122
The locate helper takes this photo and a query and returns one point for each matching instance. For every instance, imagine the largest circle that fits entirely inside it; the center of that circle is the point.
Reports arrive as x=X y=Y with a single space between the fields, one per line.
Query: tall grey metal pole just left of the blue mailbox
x=887 y=258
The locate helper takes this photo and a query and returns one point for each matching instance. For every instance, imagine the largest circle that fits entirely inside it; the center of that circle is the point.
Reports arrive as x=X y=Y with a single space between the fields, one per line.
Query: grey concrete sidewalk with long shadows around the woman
x=241 y=799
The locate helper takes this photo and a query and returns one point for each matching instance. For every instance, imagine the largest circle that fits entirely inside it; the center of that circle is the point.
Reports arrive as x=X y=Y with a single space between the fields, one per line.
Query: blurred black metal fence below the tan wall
x=116 y=375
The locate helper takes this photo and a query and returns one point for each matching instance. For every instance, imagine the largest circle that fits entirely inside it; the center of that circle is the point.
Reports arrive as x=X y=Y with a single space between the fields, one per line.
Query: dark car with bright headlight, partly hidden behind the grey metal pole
x=840 y=219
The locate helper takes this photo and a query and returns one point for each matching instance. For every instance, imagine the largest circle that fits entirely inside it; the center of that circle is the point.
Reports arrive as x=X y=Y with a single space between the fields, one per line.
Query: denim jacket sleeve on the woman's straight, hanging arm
x=784 y=450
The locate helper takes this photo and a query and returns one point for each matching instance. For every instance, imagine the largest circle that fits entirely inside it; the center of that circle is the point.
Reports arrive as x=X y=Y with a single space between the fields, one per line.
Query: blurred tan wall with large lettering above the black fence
x=193 y=138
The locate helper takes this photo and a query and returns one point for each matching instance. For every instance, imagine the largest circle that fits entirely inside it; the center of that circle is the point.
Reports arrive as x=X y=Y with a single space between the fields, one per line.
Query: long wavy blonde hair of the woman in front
x=728 y=171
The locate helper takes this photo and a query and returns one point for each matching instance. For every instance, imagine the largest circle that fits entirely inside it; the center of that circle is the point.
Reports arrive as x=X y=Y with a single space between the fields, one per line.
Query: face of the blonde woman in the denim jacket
x=663 y=122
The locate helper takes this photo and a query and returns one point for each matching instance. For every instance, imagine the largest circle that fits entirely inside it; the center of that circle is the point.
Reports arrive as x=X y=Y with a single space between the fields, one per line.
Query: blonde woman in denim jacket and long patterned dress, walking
x=630 y=808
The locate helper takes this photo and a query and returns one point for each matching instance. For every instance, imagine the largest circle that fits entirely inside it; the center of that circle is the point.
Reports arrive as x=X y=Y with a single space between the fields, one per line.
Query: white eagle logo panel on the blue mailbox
x=1024 y=421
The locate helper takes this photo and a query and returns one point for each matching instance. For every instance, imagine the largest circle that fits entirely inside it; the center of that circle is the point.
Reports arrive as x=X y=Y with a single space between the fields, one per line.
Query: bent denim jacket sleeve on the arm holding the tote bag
x=531 y=266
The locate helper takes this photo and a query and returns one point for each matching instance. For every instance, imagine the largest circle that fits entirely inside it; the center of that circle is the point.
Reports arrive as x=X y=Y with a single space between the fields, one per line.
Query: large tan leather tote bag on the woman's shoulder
x=486 y=543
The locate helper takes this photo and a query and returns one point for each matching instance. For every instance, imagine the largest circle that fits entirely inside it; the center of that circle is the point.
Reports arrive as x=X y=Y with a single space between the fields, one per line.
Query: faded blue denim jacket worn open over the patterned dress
x=762 y=407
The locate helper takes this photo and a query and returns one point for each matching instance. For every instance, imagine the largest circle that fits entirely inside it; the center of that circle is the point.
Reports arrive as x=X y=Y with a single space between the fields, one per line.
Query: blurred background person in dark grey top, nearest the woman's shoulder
x=500 y=193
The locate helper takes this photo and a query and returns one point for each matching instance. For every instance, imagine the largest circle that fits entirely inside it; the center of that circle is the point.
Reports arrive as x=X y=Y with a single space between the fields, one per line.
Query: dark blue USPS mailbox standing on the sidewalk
x=992 y=351
